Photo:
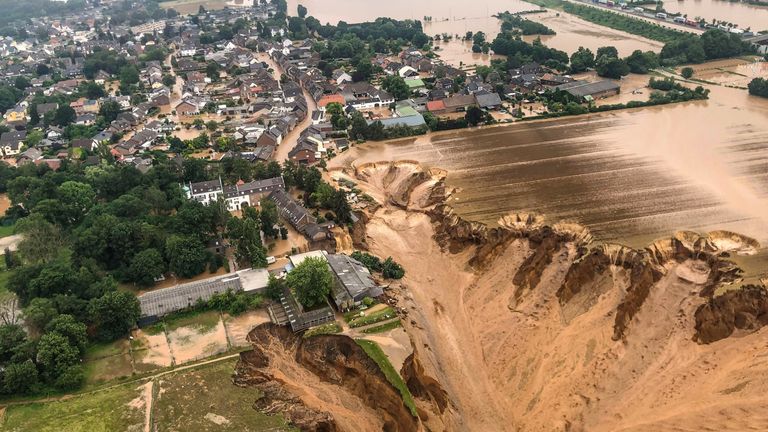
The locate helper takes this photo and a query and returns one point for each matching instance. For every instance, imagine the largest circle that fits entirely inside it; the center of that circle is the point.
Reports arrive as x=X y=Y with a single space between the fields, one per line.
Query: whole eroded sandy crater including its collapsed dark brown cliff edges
x=528 y=326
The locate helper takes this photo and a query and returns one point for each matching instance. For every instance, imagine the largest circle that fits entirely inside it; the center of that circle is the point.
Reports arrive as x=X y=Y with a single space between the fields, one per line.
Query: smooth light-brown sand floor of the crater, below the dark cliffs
x=515 y=359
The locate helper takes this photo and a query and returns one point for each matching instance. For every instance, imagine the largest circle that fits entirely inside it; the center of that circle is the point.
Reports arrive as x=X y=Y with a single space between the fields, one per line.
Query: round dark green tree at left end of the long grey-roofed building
x=114 y=314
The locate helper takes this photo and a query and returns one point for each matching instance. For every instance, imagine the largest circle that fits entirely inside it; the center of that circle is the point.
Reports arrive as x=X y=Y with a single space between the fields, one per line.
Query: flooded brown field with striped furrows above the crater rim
x=630 y=176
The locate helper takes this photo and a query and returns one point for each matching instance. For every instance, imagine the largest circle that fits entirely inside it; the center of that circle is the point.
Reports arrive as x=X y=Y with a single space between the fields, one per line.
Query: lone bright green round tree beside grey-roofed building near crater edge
x=311 y=280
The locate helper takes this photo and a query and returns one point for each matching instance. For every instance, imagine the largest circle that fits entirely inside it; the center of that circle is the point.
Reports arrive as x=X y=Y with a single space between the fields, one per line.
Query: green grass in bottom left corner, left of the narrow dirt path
x=103 y=411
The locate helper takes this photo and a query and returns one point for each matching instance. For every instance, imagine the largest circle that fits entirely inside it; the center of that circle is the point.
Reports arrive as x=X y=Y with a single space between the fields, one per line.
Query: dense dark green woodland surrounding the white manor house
x=86 y=229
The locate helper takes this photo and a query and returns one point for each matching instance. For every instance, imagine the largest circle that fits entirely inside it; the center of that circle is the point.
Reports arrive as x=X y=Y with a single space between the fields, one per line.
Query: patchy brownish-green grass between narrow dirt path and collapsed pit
x=204 y=399
